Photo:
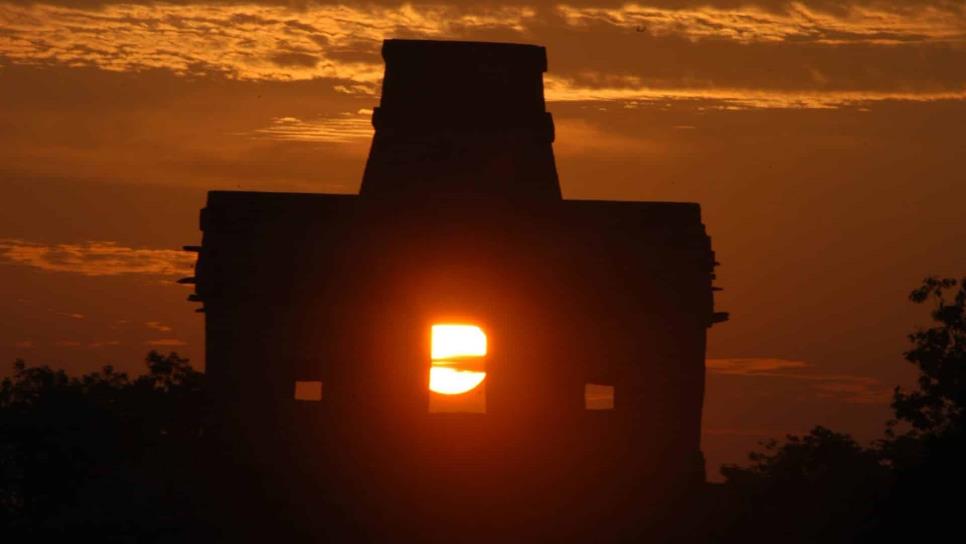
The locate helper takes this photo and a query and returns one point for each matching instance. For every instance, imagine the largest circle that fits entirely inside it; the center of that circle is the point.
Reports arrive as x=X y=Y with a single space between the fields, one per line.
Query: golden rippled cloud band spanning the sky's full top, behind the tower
x=819 y=55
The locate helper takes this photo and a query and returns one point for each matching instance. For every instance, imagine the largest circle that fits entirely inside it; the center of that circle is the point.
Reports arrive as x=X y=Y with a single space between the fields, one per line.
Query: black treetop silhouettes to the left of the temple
x=99 y=454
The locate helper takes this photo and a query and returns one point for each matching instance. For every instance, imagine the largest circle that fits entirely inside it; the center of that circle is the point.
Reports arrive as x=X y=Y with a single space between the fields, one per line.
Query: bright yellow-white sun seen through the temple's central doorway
x=455 y=350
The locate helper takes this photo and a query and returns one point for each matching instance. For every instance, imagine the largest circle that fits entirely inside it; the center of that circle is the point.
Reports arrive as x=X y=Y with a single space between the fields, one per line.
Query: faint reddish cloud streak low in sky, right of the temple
x=843 y=387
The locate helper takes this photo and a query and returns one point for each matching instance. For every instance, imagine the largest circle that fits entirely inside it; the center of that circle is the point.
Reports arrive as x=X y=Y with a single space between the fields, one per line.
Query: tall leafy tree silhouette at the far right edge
x=930 y=475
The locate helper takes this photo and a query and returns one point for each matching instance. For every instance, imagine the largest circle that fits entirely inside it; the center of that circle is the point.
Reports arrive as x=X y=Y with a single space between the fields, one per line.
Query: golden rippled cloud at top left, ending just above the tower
x=241 y=41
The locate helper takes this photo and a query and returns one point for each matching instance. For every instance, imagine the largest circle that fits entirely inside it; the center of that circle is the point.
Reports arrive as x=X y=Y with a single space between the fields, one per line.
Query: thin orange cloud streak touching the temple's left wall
x=96 y=258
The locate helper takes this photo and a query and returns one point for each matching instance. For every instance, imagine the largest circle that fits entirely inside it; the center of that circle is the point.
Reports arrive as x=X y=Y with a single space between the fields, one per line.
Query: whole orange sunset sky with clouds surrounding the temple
x=823 y=139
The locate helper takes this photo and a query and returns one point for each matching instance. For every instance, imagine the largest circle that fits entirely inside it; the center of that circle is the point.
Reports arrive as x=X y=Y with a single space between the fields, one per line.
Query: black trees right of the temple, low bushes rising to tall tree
x=909 y=486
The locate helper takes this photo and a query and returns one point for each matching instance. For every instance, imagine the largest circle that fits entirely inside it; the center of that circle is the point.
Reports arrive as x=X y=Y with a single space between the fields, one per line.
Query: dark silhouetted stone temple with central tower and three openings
x=319 y=310
